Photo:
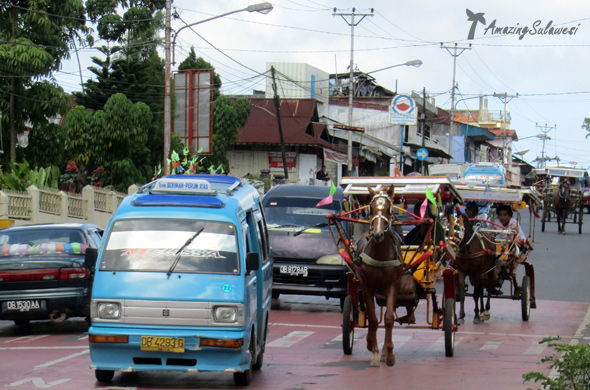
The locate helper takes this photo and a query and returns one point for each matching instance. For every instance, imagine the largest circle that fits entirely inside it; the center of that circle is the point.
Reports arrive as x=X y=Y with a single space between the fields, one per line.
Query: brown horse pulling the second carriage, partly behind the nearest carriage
x=476 y=258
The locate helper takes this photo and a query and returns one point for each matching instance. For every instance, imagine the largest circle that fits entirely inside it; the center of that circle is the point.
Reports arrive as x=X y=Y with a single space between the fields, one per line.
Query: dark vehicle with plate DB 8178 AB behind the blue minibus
x=306 y=260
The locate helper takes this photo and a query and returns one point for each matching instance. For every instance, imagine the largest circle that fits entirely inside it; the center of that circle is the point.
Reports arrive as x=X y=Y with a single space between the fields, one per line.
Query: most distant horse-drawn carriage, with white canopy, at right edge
x=563 y=196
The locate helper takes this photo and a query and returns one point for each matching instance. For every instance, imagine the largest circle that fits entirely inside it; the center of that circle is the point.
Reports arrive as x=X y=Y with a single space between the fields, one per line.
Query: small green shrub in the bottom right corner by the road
x=573 y=367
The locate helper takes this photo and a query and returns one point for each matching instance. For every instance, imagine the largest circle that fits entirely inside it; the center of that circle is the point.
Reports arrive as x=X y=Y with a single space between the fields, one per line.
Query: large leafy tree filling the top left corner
x=36 y=37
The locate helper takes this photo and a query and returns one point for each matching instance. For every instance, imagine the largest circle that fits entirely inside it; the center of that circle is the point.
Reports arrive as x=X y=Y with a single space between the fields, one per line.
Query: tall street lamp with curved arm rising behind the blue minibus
x=263 y=8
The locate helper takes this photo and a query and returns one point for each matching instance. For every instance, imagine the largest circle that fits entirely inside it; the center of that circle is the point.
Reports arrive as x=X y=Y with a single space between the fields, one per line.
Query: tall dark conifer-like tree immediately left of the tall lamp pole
x=131 y=65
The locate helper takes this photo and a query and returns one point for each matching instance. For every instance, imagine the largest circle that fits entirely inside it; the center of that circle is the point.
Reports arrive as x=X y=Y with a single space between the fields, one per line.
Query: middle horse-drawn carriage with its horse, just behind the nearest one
x=492 y=248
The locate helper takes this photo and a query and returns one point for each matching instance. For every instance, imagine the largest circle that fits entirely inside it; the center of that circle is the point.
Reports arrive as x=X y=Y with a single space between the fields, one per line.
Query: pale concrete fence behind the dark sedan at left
x=35 y=205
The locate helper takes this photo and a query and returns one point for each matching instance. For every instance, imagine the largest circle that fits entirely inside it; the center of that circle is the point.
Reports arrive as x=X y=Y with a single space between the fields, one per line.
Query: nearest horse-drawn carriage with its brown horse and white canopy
x=390 y=269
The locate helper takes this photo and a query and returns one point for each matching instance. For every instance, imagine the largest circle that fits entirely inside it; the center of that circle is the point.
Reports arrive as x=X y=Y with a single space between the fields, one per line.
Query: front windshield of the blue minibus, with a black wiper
x=152 y=245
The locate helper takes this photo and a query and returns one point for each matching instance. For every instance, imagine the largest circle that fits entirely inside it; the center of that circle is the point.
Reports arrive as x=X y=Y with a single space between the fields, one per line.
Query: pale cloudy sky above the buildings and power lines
x=547 y=70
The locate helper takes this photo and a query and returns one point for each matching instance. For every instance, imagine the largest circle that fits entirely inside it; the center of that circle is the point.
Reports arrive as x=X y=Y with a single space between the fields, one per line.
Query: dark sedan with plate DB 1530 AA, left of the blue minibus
x=42 y=271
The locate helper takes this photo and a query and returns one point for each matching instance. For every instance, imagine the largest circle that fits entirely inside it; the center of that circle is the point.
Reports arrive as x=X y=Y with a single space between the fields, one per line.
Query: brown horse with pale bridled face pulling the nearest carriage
x=379 y=266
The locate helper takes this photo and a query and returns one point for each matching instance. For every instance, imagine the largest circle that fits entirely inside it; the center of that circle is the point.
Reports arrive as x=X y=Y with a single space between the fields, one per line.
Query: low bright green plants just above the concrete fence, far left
x=22 y=176
